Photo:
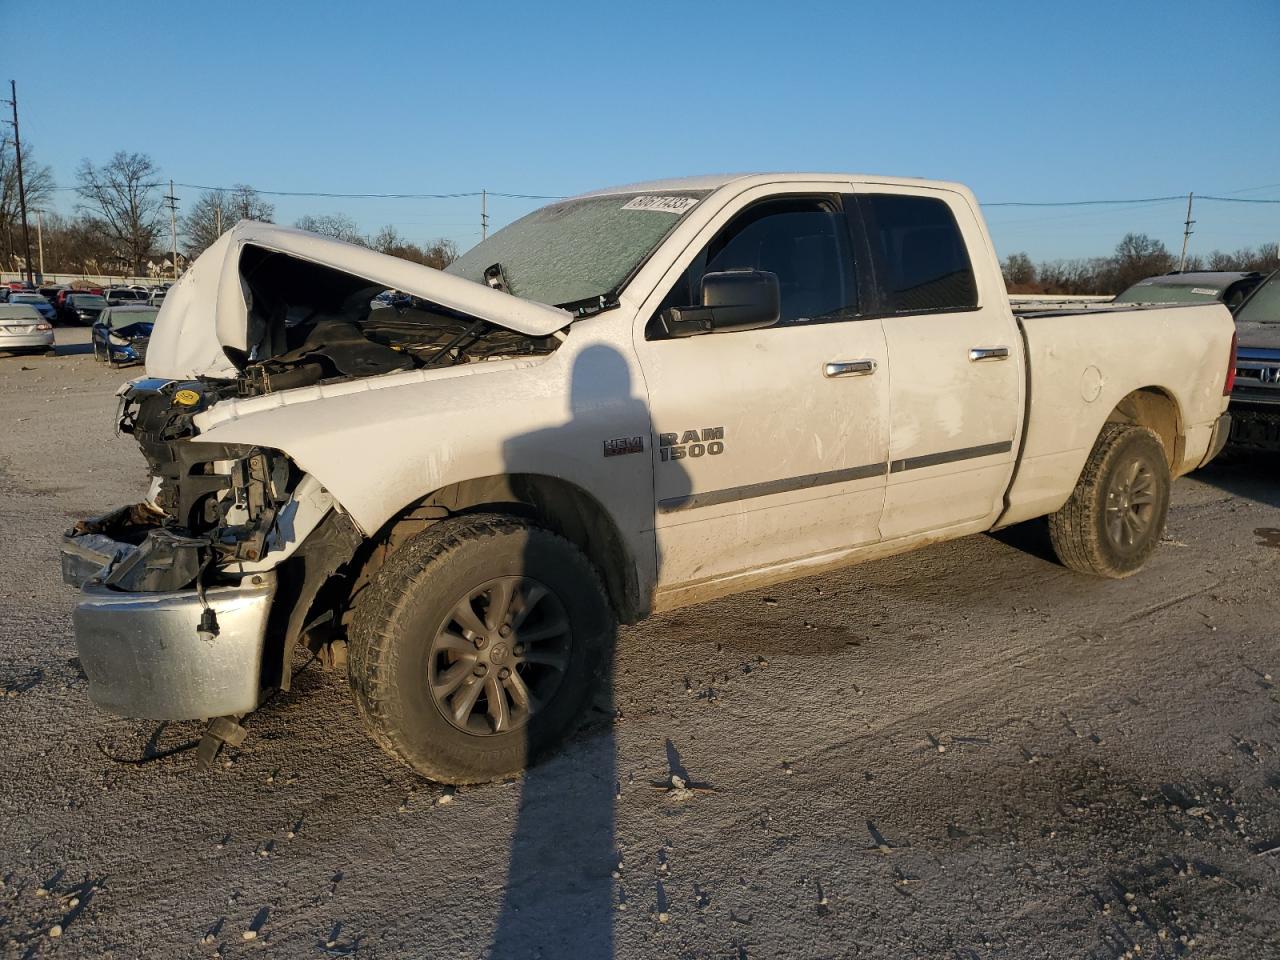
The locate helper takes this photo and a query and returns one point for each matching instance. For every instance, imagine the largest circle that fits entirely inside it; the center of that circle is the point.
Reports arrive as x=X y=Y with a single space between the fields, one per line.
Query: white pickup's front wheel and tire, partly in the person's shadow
x=477 y=647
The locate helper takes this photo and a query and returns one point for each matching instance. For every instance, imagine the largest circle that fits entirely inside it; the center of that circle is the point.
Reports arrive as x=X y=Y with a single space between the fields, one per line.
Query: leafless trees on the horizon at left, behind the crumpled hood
x=121 y=223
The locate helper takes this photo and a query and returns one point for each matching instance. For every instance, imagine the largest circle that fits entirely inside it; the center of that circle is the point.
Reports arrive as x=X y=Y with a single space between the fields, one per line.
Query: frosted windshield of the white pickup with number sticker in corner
x=578 y=250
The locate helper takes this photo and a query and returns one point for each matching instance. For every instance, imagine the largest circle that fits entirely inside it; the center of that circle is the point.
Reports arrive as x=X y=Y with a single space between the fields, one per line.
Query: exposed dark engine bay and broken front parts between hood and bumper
x=214 y=508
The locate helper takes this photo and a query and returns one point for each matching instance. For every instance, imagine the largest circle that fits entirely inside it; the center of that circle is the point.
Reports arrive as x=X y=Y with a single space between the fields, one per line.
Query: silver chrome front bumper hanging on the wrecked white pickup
x=144 y=657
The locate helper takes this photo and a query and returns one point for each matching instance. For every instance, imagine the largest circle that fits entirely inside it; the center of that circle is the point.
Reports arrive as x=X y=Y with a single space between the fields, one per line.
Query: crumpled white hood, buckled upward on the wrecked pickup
x=207 y=310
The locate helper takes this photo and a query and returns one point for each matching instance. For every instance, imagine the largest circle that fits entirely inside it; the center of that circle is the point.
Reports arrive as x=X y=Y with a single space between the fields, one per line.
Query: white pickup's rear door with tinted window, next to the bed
x=956 y=358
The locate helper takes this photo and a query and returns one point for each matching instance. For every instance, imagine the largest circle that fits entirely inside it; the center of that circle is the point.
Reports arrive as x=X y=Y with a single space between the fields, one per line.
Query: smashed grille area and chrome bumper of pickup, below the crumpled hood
x=177 y=618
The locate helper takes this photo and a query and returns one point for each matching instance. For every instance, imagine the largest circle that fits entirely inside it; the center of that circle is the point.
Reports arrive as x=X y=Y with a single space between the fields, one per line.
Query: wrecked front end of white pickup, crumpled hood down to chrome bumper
x=194 y=601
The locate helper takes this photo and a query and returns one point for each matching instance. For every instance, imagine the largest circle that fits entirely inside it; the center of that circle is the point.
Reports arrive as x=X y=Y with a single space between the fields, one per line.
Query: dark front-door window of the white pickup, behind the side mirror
x=803 y=241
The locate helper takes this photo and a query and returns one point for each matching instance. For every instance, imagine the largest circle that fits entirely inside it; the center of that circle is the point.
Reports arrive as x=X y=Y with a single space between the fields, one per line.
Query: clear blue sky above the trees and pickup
x=1026 y=100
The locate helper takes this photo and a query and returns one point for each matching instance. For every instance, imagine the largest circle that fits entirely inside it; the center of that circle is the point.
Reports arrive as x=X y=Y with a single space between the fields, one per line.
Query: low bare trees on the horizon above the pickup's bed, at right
x=1137 y=257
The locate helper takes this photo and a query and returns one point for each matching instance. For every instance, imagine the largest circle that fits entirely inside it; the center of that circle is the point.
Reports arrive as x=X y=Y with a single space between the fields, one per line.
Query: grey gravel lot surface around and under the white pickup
x=966 y=752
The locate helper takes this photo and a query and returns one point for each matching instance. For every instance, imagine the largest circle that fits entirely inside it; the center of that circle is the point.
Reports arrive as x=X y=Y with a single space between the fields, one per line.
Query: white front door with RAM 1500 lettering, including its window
x=770 y=446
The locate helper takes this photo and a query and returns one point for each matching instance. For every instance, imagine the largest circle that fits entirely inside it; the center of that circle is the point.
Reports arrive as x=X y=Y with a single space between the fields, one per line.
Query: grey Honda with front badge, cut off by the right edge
x=1256 y=392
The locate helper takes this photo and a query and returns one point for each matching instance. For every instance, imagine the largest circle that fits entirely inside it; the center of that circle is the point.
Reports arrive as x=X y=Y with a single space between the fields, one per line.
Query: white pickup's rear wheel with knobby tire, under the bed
x=1117 y=514
